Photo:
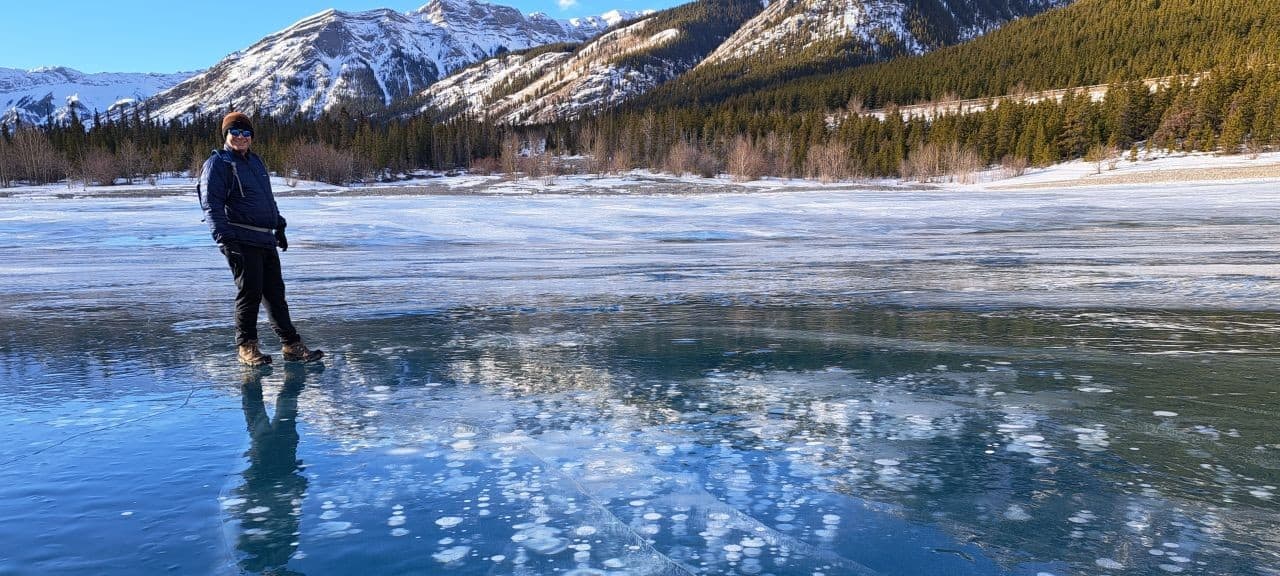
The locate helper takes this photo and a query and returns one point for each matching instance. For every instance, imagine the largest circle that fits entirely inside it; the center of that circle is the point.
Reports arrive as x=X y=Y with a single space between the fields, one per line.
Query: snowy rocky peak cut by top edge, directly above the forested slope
x=874 y=28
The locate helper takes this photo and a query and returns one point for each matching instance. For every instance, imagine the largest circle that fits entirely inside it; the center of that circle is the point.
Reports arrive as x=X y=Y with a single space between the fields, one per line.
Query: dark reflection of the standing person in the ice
x=275 y=487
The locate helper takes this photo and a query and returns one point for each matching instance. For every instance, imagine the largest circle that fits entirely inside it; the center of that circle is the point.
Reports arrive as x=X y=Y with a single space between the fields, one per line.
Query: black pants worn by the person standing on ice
x=258 y=277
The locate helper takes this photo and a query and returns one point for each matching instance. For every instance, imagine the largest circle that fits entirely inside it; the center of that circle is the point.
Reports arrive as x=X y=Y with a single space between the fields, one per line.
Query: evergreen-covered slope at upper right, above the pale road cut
x=1087 y=43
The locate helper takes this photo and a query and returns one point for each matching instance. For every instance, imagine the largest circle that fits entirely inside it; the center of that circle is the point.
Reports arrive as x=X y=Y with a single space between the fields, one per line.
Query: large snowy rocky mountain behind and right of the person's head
x=367 y=61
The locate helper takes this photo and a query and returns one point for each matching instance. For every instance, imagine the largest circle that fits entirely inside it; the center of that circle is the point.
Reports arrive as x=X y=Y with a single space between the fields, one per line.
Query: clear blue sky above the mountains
x=185 y=35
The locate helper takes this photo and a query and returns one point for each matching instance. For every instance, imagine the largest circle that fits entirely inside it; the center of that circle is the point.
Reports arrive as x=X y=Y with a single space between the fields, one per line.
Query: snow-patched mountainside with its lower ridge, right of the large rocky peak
x=623 y=65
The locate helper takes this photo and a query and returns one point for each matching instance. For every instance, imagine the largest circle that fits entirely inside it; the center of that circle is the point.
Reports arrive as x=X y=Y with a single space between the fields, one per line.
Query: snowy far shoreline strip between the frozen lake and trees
x=1183 y=170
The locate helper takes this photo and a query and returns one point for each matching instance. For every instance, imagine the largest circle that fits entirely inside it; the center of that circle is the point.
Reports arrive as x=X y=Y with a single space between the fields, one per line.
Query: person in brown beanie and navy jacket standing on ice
x=248 y=226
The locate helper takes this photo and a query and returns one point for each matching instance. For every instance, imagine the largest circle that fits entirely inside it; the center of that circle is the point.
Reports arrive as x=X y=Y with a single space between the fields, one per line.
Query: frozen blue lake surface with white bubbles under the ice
x=808 y=383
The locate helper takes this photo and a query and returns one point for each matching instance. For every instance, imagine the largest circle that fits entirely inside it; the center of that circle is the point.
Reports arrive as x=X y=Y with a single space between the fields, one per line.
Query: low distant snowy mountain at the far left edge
x=35 y=97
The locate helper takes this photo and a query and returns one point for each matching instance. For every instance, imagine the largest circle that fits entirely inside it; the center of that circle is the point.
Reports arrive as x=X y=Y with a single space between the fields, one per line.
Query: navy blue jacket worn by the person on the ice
x=237 y=190
